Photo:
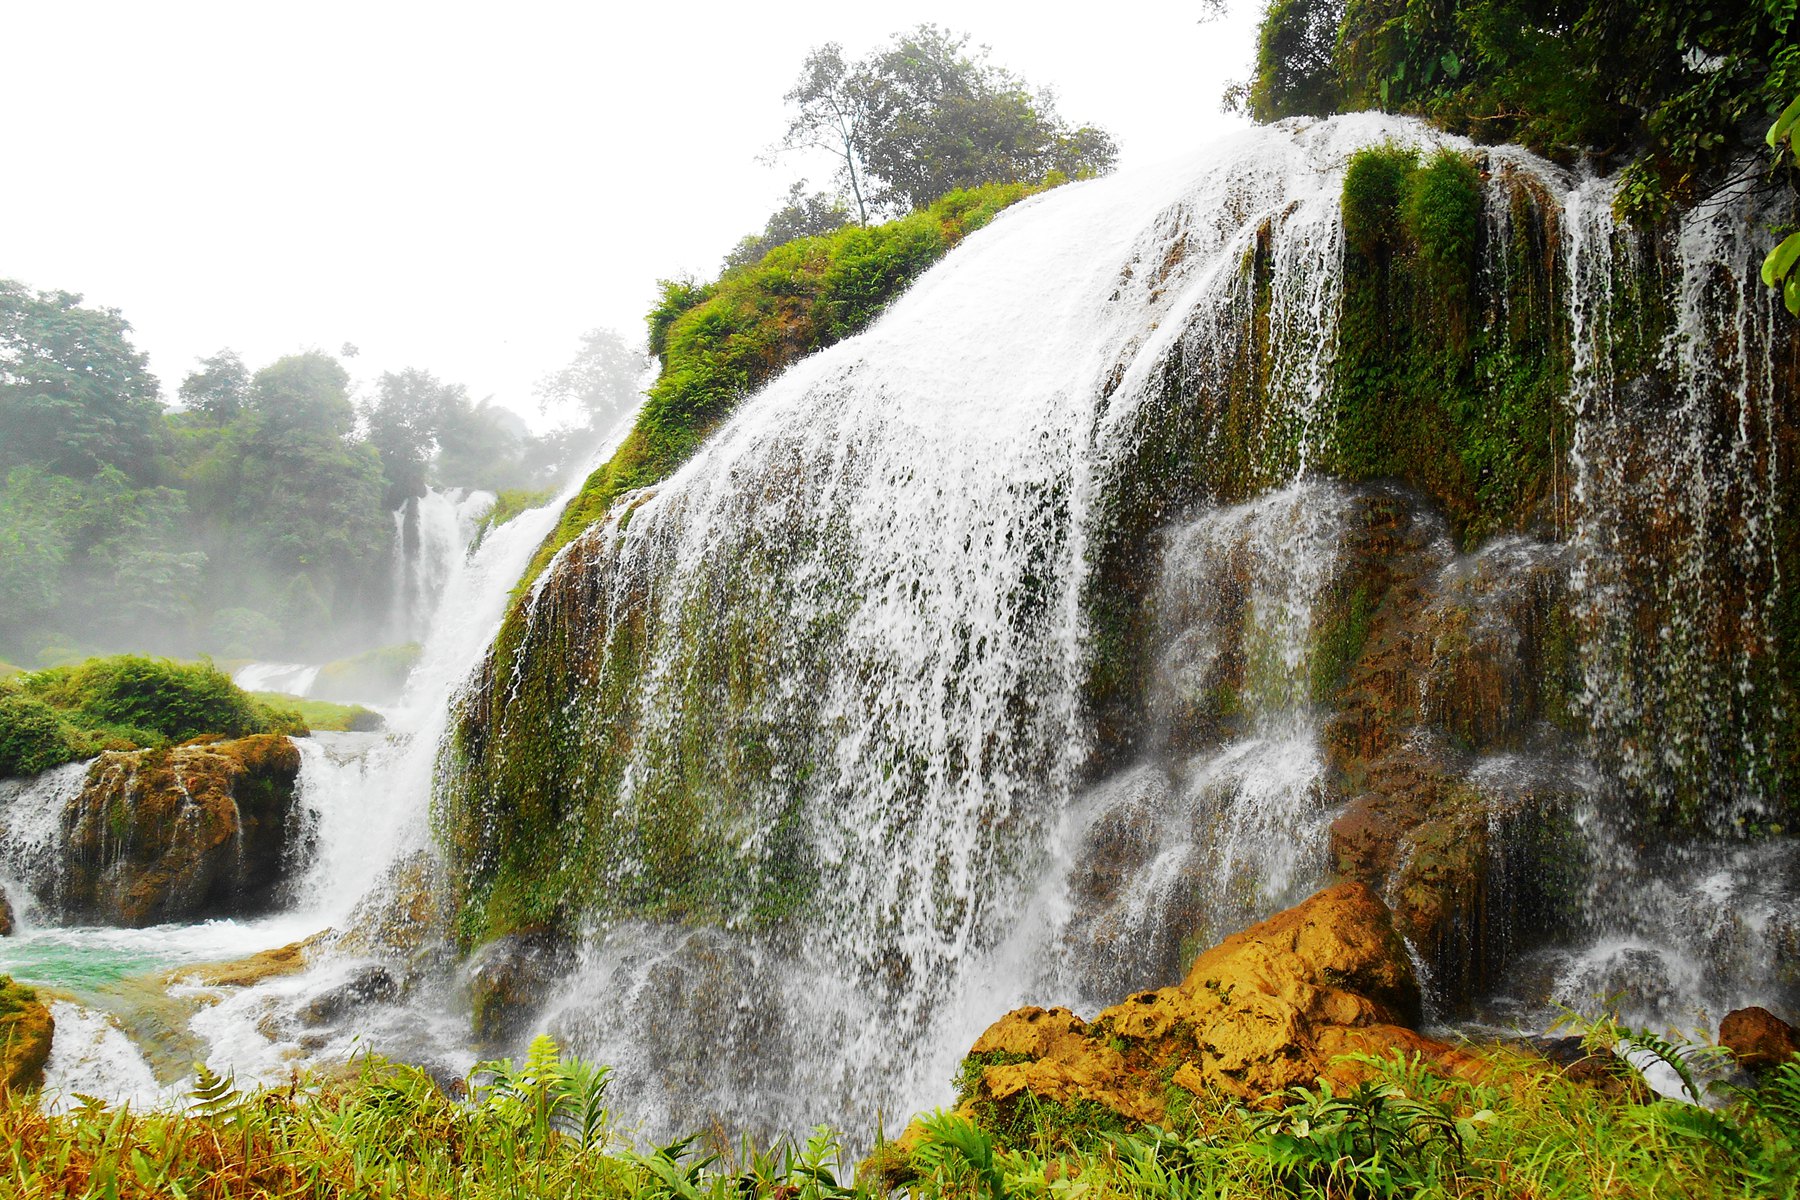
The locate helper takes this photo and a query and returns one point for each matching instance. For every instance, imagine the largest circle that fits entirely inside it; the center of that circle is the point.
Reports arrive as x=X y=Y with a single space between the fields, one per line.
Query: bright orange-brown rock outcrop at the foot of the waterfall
x=1270 y=1008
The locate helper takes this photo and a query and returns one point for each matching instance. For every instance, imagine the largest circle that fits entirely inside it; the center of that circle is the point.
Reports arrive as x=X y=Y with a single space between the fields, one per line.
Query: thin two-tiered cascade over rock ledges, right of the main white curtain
x=1227 y=818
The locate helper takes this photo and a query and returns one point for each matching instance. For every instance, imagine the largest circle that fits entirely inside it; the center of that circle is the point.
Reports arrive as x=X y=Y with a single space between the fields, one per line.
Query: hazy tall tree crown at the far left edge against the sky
x=75 y=393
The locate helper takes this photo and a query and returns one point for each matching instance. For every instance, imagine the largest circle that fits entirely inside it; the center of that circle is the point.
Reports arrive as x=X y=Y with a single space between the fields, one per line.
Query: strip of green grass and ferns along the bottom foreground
x=543 y=1127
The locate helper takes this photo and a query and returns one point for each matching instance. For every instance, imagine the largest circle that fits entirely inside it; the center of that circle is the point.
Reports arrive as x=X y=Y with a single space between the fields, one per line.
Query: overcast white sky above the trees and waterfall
x=469 y=188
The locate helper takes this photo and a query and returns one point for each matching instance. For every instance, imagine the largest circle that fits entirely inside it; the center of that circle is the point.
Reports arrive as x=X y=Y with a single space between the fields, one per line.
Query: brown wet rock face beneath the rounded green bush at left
x=179 y=836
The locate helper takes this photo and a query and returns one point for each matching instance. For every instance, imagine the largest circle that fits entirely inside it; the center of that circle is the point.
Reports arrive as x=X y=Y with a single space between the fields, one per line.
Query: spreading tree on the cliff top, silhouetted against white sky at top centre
x=928 y=116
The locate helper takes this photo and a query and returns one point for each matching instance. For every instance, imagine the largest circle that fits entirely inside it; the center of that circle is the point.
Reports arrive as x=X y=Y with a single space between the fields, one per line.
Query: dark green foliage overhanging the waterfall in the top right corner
x=1662 y=87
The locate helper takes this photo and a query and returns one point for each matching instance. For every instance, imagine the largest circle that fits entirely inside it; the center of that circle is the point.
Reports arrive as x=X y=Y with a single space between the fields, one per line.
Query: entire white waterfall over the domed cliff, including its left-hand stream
x=818 y=737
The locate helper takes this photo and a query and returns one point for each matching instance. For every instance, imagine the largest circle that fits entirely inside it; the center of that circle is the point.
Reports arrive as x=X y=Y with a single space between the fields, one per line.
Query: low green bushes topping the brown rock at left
x=125 y=703
